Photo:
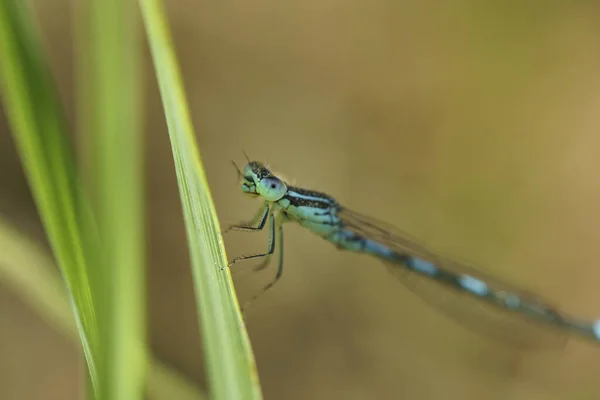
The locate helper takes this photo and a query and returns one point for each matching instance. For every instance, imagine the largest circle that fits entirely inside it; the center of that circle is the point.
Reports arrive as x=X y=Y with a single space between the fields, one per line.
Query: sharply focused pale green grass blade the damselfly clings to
x=229 y=359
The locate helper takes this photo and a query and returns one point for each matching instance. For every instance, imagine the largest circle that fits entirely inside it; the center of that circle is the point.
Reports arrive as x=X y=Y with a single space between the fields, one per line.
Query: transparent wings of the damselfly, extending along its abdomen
x=506 y=313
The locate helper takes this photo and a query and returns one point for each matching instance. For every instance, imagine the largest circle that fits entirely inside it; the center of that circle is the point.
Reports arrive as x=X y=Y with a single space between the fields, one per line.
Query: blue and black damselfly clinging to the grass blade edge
x=404 y=256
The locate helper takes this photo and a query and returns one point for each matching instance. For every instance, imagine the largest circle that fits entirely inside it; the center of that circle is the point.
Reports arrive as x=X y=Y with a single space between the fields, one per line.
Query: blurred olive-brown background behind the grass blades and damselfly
x=472 y=126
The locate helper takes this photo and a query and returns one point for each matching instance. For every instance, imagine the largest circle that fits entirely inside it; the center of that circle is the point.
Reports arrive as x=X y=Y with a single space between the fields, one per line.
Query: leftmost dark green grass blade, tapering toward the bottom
x=35 y=116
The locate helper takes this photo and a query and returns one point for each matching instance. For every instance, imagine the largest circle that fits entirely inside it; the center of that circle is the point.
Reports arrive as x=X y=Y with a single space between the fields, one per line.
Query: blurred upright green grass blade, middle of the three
x=109 y=100
